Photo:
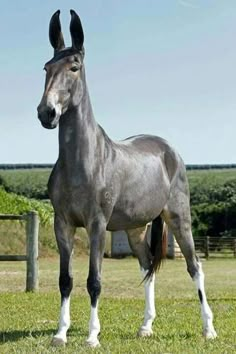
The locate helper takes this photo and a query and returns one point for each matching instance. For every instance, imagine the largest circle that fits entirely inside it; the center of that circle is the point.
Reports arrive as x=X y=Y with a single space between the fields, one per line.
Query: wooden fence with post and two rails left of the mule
x=31 y=257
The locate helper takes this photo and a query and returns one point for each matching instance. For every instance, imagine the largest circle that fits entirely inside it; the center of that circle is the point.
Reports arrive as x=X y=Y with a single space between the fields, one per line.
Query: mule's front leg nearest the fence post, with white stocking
x=65 y=240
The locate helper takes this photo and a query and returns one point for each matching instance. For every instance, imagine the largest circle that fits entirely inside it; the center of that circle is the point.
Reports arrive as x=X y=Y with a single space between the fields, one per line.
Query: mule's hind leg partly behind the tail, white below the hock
x=138 y=243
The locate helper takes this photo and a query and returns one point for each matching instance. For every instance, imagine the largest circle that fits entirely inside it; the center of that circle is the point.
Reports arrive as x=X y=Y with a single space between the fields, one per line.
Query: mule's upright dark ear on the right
x=76 y=31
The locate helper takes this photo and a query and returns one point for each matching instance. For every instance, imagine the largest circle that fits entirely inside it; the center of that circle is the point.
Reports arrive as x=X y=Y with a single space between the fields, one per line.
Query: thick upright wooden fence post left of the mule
x=32 y=227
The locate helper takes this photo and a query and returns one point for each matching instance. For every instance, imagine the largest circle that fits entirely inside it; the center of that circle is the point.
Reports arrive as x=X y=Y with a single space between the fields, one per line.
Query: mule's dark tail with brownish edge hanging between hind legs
x=158 y=247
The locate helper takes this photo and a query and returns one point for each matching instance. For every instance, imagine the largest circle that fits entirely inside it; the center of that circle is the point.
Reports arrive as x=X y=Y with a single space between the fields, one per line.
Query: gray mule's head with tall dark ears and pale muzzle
x=64 y=72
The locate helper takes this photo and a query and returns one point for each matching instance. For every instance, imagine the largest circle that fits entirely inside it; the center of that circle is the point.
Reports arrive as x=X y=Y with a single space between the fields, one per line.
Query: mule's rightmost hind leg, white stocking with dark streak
x=177 y=216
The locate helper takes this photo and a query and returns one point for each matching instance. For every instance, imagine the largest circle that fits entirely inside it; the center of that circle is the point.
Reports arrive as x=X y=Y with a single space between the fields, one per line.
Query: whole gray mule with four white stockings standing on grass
x=104 y=185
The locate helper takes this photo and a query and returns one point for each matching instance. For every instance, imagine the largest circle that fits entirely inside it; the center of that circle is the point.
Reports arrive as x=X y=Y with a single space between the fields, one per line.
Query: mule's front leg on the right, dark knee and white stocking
x=97 y=233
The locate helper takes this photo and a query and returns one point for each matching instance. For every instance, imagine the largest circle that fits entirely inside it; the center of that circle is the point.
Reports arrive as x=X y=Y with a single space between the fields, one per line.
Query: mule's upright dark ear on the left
x=55 y=34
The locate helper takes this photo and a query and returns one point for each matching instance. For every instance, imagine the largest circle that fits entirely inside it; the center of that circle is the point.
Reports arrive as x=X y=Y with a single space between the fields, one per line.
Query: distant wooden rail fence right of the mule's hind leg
x=212 y=247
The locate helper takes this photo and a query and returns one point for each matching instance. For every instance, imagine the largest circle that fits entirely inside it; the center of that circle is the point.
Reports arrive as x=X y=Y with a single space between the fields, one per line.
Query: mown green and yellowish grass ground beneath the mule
x=28 y=321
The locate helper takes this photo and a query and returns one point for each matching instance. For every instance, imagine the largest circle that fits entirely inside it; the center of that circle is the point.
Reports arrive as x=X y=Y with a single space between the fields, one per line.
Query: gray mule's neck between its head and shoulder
x=79 y=136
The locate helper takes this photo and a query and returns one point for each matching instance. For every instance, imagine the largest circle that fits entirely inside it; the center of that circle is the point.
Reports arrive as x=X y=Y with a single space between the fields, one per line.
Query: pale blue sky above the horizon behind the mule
x=166 y=68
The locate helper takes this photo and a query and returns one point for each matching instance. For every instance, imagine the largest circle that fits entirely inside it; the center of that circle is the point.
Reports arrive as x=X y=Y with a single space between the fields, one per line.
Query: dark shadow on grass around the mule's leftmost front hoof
x=14 y=336
